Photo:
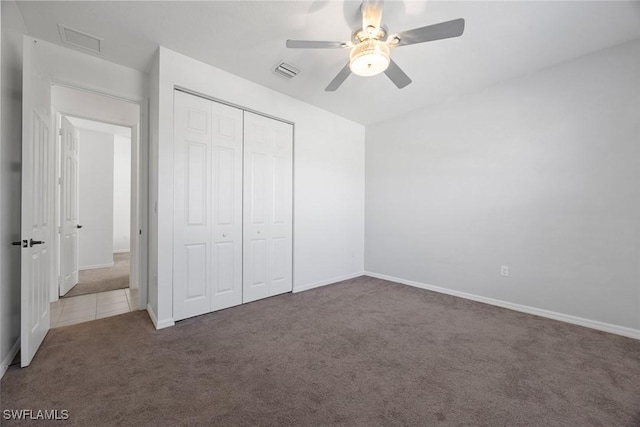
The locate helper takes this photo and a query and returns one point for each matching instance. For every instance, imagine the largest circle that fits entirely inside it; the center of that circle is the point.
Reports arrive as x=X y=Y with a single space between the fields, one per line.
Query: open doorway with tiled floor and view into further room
x=96 y=205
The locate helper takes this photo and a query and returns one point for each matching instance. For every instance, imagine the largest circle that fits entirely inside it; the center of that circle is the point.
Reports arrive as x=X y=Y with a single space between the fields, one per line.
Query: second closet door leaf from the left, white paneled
x=227 y=206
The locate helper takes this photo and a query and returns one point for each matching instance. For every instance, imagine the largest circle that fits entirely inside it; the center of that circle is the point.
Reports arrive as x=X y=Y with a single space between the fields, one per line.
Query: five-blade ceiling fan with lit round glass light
x=371 y=46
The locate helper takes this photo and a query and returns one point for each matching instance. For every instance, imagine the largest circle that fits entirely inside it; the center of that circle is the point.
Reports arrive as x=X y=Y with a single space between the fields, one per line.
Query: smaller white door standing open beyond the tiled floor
x=69 y=226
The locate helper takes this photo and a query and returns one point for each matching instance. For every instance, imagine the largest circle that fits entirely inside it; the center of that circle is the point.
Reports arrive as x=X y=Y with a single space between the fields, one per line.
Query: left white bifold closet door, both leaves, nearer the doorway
x=207 y=206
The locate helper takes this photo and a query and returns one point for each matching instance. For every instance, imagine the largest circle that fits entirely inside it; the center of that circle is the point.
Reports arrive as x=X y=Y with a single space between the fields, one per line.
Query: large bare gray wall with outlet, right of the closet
x=540 y=174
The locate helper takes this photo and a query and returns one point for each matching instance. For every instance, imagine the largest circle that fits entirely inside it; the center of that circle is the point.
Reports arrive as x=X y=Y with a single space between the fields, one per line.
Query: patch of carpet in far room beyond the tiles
x=103 y=279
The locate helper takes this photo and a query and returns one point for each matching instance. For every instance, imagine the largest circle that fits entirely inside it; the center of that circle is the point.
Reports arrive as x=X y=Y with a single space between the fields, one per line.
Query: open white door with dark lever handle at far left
x=36 y=191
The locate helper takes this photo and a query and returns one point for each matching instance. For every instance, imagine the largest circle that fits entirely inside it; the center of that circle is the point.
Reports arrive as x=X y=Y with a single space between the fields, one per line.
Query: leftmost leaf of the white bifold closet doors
x=192 y=206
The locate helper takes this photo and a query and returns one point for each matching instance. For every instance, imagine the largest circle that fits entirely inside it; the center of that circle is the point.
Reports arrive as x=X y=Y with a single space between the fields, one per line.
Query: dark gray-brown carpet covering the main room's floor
x=363 y=352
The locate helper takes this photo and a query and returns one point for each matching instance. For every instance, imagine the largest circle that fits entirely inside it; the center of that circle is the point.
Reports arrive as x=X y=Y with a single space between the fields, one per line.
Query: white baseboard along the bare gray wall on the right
x=588 y=323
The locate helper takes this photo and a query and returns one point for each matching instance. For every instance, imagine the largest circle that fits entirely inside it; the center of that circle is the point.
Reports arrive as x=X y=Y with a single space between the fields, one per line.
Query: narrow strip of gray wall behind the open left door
x=10 y=179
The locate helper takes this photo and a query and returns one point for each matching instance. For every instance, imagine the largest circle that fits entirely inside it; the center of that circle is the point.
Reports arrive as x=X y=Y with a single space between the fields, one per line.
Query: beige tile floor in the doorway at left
x=69 y=311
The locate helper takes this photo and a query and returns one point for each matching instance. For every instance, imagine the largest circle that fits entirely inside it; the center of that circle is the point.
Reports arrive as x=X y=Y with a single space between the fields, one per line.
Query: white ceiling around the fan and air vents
x=502 y=40
